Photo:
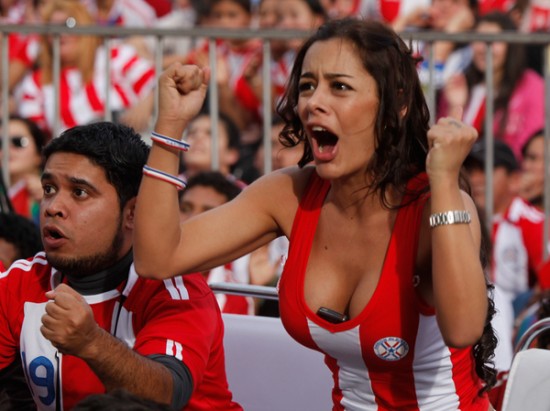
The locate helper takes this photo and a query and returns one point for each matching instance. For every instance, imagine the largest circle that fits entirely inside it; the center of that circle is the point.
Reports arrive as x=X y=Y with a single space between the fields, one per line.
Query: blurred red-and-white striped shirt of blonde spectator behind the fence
x=131 y=79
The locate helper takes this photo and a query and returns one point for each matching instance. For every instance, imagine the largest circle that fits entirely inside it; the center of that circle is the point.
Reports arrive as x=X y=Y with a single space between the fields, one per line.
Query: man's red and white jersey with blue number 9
x=177 y=317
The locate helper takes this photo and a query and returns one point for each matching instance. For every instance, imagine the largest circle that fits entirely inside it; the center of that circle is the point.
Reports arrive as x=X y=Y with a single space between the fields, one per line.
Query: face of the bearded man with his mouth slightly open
x=80 y=217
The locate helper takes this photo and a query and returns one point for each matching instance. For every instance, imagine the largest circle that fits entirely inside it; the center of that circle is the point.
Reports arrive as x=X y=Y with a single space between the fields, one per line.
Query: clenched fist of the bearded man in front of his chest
x=69 y=322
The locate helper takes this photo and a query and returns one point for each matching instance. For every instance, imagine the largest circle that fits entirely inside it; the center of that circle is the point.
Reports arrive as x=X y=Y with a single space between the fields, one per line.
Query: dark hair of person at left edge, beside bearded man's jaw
x=22 y=233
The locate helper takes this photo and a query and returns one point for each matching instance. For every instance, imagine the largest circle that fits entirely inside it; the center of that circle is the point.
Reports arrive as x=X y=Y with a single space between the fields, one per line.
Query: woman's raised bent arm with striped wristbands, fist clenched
x=162 y=248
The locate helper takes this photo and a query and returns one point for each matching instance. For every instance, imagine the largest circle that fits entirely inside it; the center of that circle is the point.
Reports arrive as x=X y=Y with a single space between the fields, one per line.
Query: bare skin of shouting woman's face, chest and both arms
x=353 y=230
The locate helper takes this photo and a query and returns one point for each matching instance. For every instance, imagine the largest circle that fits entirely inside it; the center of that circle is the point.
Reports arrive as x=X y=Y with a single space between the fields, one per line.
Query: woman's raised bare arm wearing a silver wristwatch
x=458 y=282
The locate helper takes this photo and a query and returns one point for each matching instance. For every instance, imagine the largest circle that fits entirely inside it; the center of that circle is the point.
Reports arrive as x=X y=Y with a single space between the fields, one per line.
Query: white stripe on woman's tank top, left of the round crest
x=356 y=387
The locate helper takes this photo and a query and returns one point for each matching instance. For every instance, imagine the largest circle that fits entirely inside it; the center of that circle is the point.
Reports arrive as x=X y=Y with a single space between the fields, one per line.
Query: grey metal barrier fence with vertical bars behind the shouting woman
x=211 y=34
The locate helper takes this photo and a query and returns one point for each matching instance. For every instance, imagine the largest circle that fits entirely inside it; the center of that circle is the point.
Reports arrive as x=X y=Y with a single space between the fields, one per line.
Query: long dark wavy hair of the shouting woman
x=402 y=123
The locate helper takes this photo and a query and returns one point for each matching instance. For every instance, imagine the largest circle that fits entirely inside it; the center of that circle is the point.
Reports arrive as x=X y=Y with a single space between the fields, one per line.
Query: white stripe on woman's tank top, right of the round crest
x=437 y=366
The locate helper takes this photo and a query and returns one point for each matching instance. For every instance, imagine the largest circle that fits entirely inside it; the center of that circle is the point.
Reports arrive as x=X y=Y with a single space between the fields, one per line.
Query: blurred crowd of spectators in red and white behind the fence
x=515 y=235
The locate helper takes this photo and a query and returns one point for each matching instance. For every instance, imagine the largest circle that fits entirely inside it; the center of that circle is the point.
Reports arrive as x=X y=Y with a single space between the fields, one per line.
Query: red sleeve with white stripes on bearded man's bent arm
x=181 y=326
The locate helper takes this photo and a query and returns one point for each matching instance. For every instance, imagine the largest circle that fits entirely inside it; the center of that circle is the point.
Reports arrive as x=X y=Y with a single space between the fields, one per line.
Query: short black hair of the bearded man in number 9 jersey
x=116 y=148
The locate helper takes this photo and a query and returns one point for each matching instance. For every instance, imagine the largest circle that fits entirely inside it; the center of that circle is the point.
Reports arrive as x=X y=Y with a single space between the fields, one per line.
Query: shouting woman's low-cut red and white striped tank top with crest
x=392 y=355
